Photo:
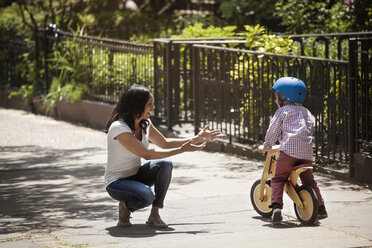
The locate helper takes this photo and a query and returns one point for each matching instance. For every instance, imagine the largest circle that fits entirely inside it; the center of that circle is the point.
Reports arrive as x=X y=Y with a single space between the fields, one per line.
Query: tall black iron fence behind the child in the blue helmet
x=234 y=93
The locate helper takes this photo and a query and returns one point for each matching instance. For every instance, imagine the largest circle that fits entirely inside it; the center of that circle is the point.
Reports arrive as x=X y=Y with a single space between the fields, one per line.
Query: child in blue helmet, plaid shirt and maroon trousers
x=292 y=125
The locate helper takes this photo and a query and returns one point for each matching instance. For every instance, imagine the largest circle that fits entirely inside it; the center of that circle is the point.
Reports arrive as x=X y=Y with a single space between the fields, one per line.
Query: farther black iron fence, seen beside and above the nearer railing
x=173 y=66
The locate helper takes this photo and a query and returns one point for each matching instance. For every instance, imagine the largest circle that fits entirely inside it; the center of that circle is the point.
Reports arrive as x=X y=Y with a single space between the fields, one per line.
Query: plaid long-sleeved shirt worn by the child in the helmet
x=292 y=126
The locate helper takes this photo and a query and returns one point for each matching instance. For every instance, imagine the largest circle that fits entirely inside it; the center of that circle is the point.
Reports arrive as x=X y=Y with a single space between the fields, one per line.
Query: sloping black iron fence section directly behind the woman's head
x=106 y=66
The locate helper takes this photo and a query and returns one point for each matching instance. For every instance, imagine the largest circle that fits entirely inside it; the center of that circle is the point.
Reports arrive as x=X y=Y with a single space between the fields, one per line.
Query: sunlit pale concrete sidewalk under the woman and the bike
x=52 y=195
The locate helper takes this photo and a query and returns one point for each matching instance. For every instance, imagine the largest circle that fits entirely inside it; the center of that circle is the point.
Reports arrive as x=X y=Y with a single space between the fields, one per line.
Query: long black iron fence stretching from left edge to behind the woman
x=107 y=67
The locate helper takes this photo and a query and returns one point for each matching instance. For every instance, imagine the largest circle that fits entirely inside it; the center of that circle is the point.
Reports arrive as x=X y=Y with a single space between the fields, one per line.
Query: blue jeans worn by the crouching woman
x=136 y=191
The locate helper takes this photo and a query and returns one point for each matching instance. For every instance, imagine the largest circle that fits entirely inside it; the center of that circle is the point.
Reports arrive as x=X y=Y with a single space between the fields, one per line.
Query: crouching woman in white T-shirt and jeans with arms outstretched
x=129 y=131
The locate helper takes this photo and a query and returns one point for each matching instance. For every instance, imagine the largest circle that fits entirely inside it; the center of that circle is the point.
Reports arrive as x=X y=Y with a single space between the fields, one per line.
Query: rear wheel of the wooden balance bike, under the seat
x=309 y=212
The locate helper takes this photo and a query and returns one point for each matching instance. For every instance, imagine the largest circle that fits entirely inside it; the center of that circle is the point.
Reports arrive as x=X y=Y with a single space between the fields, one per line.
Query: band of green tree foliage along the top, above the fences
x=156 y=19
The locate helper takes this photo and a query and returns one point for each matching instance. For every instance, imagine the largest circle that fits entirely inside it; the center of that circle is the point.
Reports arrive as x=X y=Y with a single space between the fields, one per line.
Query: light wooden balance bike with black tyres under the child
x=303 y=197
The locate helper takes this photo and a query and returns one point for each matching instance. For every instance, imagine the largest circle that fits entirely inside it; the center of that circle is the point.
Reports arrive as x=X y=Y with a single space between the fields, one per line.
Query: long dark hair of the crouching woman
x=130 y=106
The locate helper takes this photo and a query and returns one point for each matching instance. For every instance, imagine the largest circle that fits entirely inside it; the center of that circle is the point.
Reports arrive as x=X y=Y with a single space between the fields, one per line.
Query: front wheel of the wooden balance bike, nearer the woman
x=261 y=205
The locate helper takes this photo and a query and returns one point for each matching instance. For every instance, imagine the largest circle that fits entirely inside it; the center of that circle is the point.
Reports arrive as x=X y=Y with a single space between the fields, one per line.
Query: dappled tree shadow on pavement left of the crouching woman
x=40 y=187
